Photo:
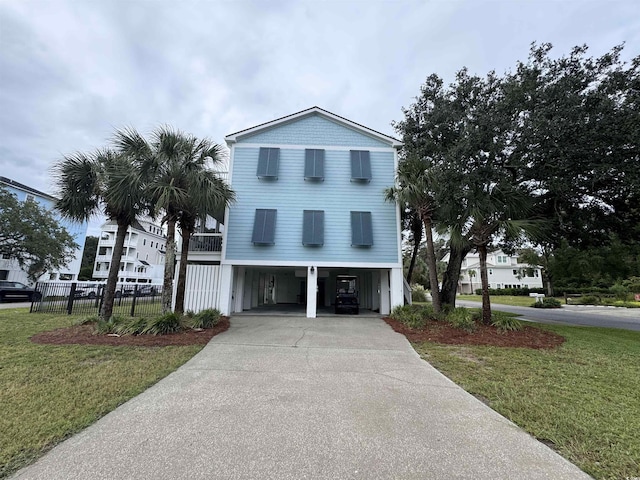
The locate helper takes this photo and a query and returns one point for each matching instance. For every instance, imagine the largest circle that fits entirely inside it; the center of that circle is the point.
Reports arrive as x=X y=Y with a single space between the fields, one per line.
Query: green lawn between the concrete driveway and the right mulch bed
x=582 y=398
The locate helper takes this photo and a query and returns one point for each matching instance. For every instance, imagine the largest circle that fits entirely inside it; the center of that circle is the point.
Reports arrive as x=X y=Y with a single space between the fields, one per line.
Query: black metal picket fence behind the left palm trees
x=85 y=298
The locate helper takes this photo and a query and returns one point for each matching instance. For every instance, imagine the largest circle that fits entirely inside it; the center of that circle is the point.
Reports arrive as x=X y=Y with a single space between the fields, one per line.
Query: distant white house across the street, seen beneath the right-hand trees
x=504 y=271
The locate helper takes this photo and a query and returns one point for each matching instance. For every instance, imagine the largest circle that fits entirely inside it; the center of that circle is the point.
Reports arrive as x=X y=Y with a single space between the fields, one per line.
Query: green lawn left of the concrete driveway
x=50 y=392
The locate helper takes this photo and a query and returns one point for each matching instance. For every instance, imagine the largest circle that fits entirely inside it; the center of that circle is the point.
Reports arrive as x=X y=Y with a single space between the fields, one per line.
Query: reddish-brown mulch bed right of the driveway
x=441 y=332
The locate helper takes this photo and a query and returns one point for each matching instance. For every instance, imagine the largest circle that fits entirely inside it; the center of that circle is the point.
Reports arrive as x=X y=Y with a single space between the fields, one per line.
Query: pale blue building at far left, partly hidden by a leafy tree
x=9 y=268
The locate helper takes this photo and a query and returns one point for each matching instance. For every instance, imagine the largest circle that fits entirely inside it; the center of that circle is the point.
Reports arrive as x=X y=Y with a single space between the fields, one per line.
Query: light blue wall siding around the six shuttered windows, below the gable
x=291 y=195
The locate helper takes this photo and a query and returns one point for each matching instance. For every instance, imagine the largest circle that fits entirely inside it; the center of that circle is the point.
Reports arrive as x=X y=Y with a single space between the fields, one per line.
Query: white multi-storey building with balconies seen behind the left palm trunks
x=143 y=255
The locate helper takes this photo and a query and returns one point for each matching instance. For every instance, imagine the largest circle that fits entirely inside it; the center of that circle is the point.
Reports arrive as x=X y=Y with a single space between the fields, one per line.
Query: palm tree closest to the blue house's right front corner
x=414 y=189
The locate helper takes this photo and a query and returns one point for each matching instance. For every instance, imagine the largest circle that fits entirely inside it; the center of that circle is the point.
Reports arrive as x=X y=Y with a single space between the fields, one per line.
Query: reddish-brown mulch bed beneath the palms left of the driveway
x=84 y=335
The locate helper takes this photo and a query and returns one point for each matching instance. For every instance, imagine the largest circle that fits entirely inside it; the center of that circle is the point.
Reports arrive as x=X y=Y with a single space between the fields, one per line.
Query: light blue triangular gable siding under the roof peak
x=313 y=130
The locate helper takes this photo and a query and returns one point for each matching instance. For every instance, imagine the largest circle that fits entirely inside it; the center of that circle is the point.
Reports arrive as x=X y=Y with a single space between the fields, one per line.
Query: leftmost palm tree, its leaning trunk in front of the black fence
x=108 y=182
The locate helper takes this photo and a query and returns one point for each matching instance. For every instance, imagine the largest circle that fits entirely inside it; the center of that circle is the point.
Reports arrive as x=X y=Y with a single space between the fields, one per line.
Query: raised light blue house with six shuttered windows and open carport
x=310 y=207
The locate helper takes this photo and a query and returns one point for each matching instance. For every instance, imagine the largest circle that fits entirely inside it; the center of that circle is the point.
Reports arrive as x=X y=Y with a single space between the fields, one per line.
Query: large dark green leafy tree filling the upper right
x=547 y=151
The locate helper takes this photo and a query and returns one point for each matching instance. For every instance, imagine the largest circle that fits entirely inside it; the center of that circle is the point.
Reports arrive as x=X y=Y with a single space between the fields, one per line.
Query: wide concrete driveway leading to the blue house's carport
x=294 y=398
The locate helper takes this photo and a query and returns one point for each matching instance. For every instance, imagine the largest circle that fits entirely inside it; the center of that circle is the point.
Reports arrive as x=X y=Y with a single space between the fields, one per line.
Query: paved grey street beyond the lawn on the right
x=625 y=318
